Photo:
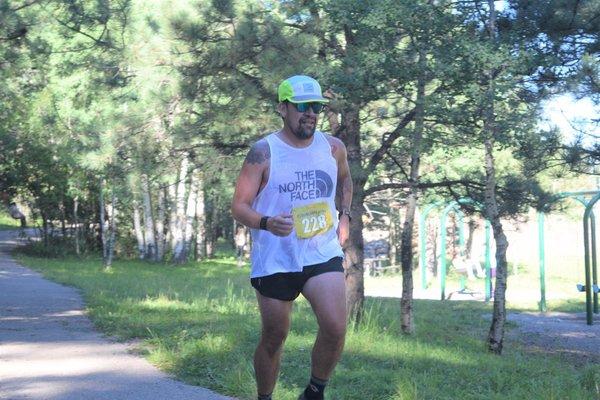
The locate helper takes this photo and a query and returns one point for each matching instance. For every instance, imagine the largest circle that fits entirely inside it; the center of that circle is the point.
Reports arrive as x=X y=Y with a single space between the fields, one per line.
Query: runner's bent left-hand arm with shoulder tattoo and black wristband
x=250 y=181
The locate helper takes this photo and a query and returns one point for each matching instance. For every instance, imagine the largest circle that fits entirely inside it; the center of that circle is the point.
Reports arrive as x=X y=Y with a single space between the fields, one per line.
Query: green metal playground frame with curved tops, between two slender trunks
x=452 y=205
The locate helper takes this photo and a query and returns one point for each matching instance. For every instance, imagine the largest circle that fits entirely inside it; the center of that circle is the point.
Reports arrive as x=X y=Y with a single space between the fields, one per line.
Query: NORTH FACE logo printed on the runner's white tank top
x=312 y=184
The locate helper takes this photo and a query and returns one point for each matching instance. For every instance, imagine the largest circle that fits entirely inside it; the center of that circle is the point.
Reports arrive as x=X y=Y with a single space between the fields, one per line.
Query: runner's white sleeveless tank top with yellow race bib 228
x=301 y=181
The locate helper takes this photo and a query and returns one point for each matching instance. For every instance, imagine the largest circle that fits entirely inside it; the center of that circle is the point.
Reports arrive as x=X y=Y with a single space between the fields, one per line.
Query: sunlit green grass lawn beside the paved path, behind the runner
x=200 y=323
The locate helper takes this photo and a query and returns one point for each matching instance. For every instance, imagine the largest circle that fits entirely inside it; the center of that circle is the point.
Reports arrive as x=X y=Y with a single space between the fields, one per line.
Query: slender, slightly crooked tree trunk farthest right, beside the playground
x=496 y=333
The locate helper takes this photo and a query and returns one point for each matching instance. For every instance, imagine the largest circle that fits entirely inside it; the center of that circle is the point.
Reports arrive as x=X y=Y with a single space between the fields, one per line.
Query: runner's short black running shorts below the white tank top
x=287 y=286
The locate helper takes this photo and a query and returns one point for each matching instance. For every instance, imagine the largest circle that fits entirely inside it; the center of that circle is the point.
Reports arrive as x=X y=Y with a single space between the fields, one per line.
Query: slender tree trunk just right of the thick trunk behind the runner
x=406 y=252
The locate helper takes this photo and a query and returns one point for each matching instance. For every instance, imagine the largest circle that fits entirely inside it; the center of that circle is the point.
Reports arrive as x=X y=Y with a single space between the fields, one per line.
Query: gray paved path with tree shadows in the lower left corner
x=50 y=351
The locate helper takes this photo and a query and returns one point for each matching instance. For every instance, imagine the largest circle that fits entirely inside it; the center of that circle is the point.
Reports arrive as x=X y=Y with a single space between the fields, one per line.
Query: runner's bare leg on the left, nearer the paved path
x=275 y=317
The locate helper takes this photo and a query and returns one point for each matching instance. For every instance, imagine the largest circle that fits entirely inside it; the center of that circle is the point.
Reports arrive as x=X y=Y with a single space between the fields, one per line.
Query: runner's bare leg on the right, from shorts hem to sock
x=327 y=296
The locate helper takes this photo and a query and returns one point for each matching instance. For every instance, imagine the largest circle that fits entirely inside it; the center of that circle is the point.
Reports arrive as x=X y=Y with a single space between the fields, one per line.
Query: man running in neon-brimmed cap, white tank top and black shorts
x=286 y=193
